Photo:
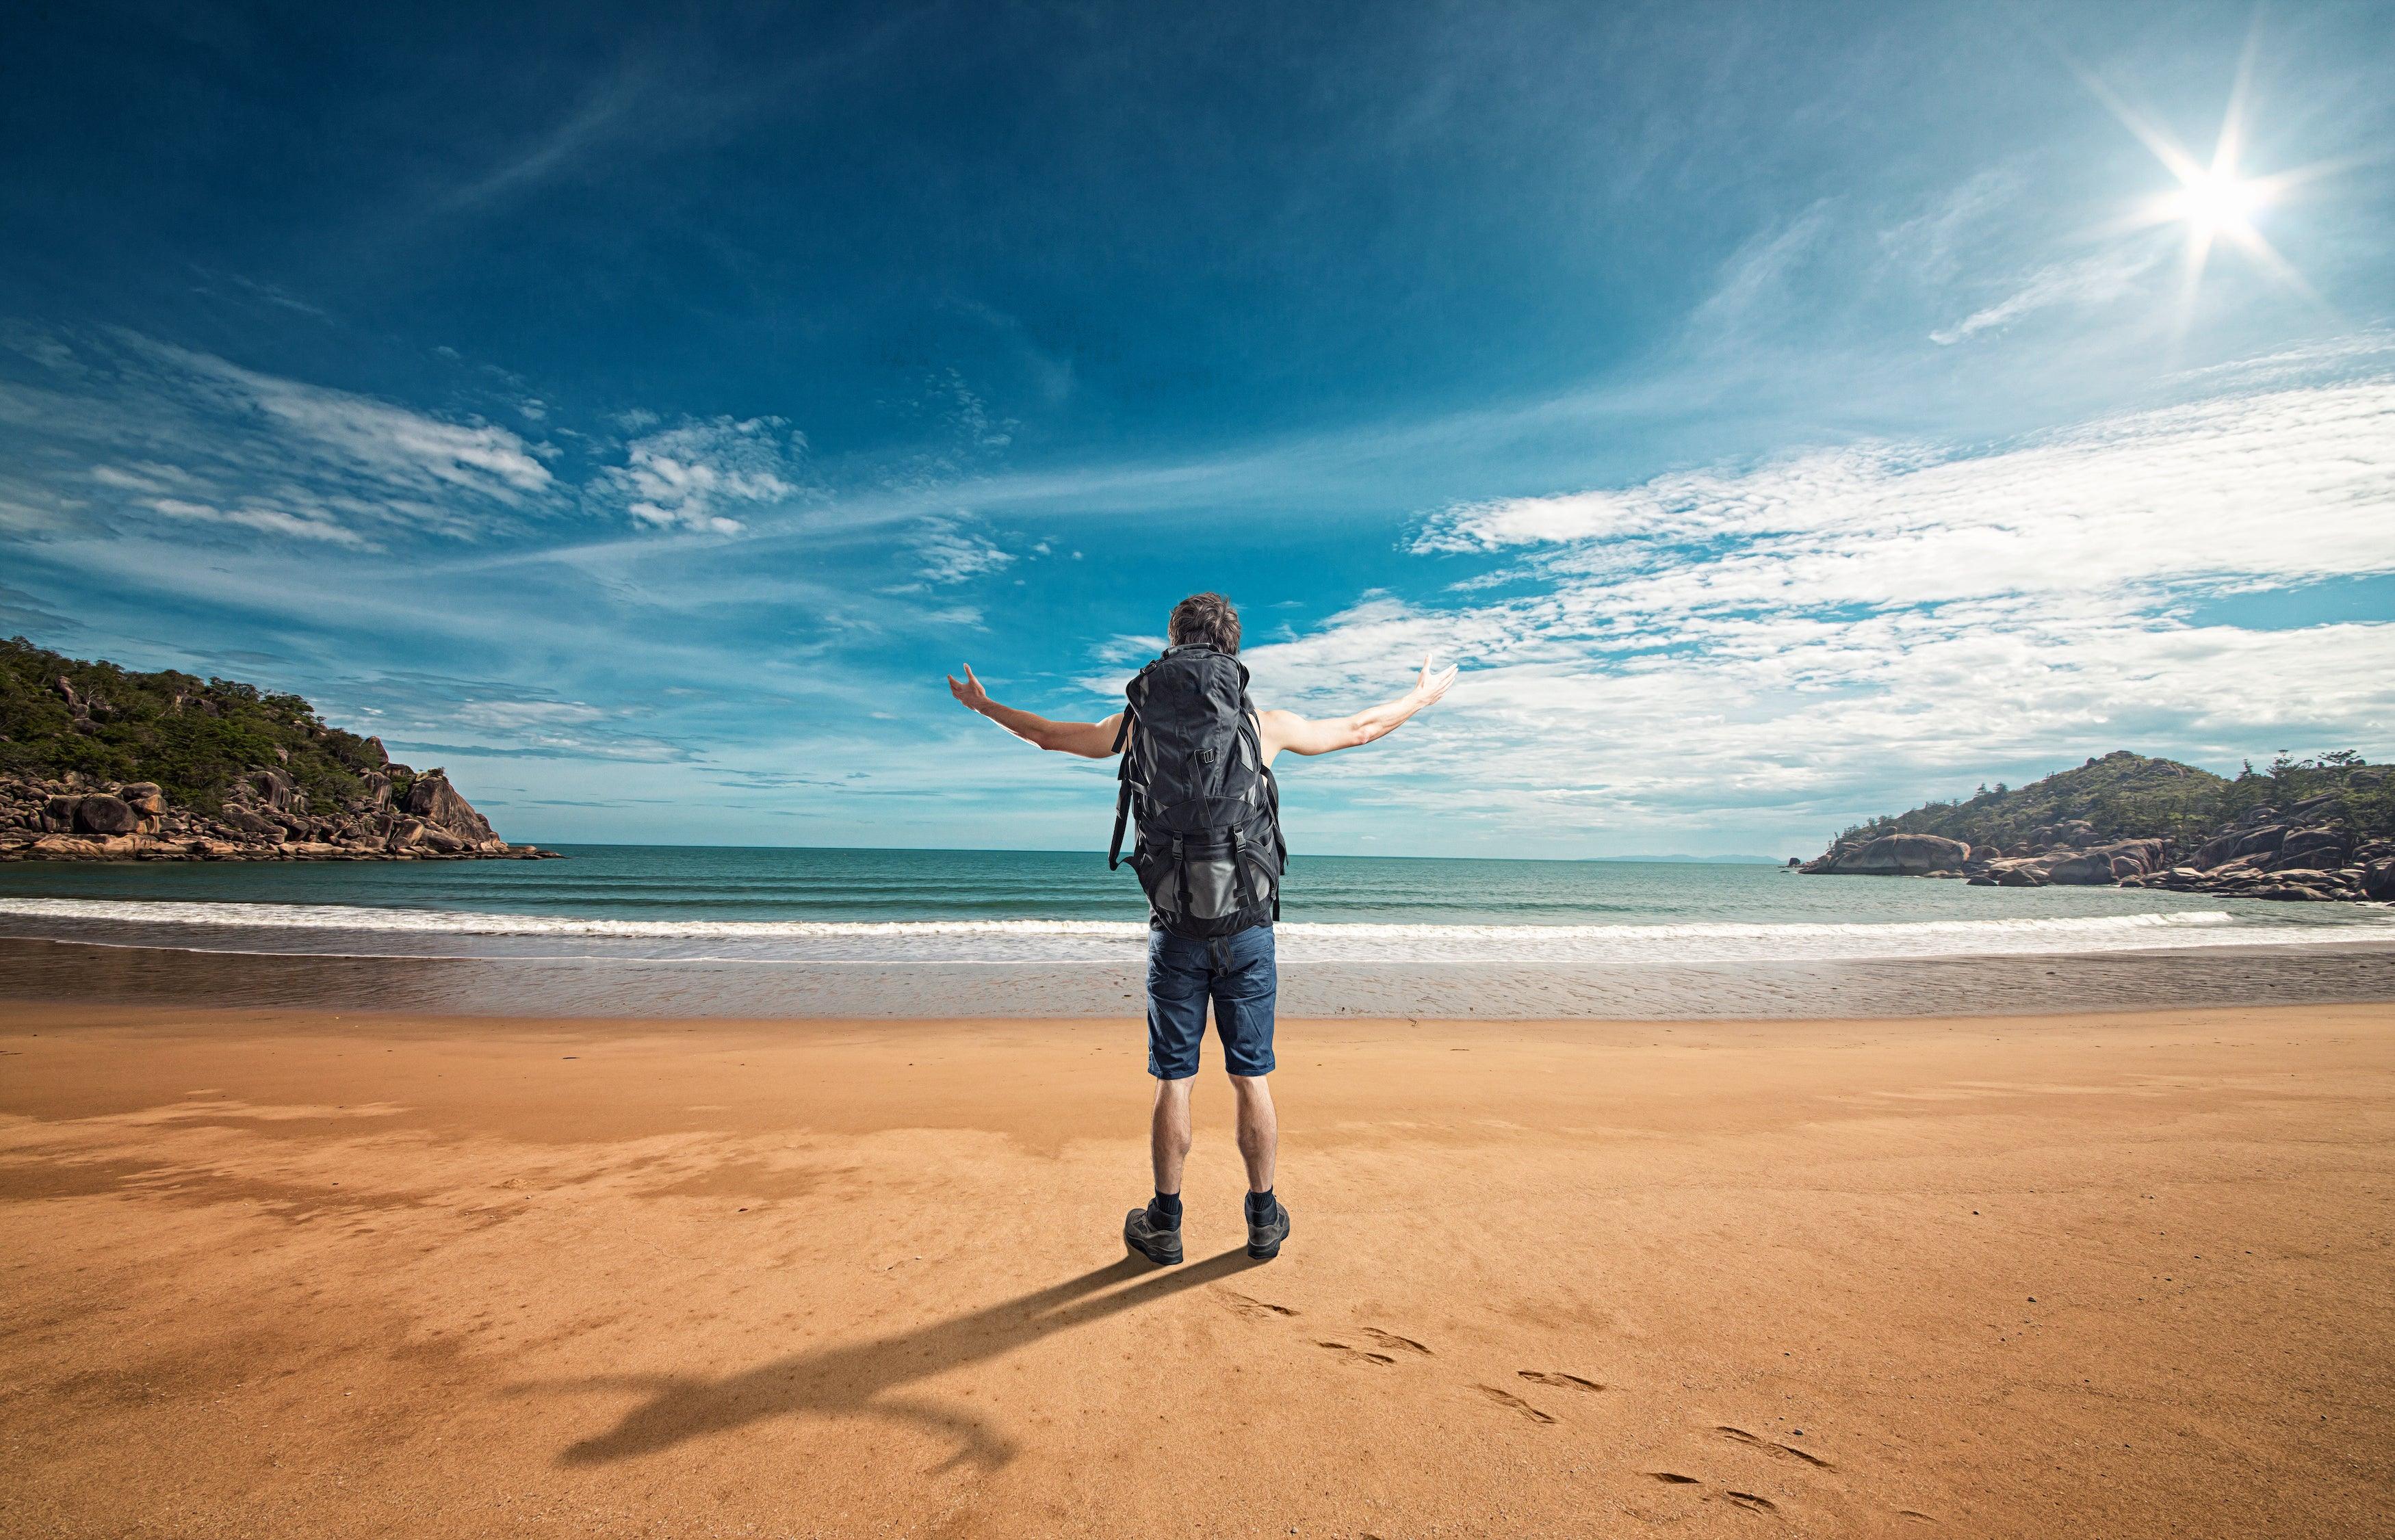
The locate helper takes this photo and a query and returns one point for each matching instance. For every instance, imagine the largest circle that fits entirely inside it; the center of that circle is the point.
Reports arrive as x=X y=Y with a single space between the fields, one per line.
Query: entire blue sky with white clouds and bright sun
x=1783 y=413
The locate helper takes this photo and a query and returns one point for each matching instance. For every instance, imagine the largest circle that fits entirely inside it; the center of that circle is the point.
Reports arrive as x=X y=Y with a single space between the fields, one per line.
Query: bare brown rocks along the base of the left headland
x=267 y=816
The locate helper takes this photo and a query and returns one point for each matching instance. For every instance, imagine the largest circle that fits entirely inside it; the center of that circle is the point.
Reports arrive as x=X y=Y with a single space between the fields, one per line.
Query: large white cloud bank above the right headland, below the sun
x=1841 y=633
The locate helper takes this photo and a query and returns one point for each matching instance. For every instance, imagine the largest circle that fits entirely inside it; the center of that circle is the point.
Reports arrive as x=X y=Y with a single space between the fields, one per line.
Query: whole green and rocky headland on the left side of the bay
x=99 y=763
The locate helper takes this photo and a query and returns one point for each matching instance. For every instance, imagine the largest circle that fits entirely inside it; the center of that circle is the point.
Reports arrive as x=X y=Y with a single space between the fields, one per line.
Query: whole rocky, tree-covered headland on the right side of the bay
x=2300 y=830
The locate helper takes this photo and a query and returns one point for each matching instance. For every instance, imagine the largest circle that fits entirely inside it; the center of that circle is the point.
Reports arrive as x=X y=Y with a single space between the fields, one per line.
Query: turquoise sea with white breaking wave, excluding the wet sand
x=679 y=902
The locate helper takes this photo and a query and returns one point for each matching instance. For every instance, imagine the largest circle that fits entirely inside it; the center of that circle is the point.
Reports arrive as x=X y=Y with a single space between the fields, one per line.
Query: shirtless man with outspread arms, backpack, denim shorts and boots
x=1196 y=947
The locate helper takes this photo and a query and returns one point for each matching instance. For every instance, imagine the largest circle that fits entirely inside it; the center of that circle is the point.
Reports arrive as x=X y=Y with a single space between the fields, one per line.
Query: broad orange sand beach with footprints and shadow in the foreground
x=363 y=1275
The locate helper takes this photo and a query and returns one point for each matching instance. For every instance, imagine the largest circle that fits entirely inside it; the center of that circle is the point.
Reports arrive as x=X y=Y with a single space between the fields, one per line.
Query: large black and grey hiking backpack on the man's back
x=1211 y=818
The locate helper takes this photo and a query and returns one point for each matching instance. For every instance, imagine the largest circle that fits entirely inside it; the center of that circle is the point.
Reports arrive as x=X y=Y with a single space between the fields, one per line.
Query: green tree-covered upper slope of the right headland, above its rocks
x=2130 y=796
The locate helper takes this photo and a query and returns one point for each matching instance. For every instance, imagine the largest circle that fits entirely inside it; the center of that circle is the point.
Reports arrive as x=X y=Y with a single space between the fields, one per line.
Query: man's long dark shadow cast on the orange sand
x=856 y=1381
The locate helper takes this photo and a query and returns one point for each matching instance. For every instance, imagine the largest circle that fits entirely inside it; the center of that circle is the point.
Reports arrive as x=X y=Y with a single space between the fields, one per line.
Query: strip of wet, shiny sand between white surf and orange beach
x=808 y=990
